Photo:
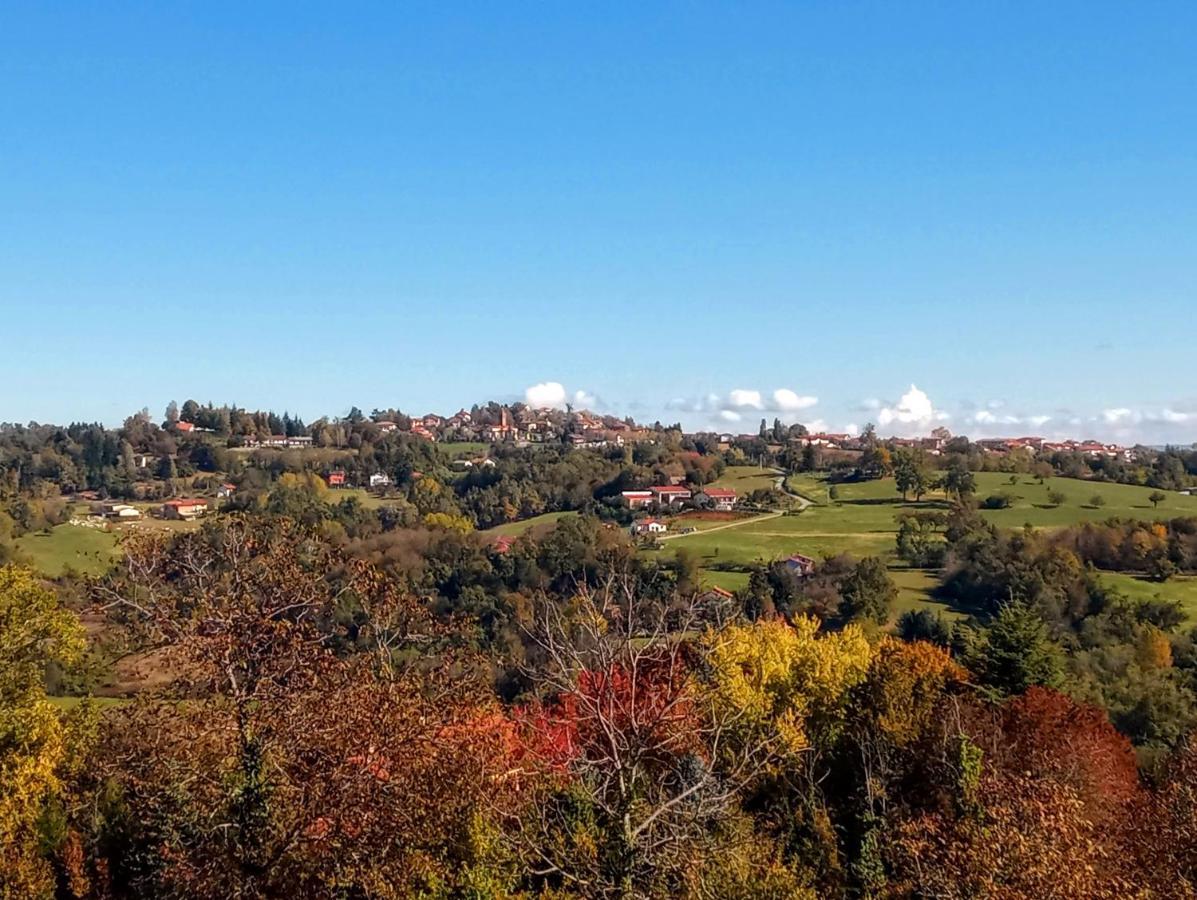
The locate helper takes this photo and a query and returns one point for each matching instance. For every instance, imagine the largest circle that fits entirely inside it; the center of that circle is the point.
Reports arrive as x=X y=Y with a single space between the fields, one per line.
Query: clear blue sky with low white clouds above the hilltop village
x=309 y=206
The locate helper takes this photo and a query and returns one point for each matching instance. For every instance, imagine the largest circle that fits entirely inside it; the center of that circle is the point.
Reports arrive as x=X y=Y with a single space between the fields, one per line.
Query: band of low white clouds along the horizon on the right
x=914 y=413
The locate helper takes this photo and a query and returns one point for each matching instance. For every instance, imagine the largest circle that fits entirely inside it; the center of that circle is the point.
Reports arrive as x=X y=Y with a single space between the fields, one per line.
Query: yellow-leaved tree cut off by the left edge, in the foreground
x=35 y=743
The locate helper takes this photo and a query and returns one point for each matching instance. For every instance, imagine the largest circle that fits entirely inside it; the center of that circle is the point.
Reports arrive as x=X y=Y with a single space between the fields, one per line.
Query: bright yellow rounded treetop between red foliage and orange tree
x=787 y=680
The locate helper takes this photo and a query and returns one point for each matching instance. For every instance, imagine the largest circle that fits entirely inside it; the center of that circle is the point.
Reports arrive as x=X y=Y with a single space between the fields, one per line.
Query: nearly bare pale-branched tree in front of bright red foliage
x=640 y=765
